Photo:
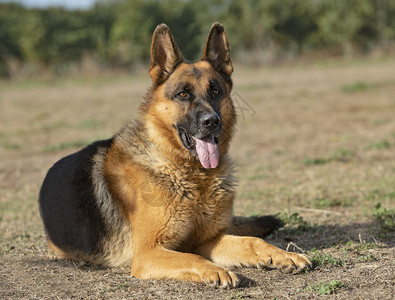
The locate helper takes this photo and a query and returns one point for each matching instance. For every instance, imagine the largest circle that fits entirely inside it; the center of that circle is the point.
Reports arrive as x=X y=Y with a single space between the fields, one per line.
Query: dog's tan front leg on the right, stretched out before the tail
x=229 y=250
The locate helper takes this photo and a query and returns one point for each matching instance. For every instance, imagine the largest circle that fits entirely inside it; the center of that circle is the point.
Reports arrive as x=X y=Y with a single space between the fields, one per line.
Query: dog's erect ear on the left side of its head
x=165 y=55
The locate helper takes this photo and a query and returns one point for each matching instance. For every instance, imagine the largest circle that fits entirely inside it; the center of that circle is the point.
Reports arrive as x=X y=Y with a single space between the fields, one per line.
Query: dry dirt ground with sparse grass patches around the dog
x=315 y=144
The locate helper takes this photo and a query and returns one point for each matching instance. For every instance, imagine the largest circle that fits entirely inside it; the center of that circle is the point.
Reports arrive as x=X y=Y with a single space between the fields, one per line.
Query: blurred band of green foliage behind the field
x=117 y=33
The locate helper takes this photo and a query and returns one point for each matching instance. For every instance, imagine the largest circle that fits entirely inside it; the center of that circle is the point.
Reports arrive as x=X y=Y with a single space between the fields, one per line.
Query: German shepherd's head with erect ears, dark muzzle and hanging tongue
x=189 y=110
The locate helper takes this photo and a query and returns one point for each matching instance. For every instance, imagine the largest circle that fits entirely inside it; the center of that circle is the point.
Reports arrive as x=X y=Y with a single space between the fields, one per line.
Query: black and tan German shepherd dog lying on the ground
x=158 y=195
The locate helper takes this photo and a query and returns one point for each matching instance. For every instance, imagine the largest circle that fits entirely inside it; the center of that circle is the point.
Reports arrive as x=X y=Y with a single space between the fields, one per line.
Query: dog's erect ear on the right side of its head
x=217 y=50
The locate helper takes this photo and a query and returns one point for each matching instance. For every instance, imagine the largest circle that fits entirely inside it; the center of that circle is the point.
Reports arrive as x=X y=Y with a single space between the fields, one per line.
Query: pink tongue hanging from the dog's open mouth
x=207 y=151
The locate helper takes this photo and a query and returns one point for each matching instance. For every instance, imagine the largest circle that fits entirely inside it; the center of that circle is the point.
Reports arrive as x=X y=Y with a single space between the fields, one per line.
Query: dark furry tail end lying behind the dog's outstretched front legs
x=254 y=226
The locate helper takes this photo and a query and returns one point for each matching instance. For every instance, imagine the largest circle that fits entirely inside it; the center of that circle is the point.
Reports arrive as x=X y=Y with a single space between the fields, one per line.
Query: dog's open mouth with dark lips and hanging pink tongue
x=205 y=148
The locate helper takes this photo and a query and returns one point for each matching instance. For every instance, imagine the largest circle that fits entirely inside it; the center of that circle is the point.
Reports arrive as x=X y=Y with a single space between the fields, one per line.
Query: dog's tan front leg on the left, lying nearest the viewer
x=160 y=263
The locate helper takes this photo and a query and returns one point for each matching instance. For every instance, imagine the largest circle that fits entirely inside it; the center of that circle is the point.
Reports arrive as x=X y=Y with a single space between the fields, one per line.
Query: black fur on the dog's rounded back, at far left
x=68 y=205
